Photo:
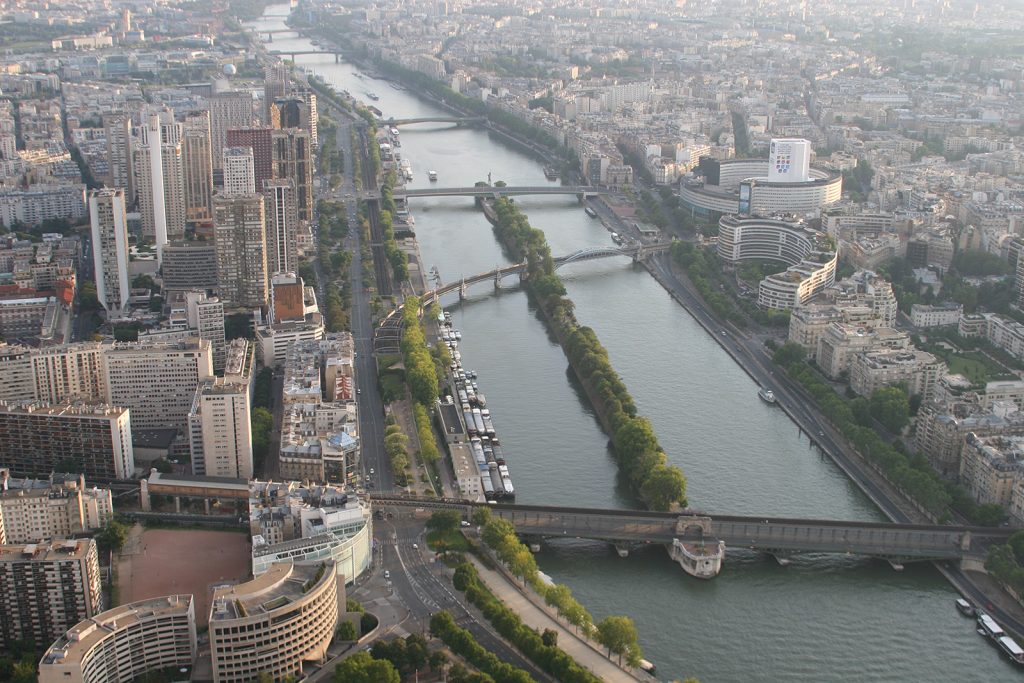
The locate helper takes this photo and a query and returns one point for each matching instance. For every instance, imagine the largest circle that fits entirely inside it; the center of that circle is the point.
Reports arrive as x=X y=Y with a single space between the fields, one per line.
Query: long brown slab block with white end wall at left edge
x=96 y=441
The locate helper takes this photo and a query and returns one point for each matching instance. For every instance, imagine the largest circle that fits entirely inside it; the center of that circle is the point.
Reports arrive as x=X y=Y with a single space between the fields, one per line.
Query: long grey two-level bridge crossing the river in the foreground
x=782 y=538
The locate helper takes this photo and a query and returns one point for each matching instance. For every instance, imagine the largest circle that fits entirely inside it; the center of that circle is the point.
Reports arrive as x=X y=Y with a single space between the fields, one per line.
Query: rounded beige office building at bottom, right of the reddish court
x=275 y=623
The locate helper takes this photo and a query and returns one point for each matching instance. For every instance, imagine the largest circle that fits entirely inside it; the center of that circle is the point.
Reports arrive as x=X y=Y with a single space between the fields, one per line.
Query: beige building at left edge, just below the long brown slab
x=60 y=507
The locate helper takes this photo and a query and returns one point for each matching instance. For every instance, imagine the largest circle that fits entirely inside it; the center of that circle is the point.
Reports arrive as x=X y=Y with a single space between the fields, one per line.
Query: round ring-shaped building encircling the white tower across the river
x=742 y=186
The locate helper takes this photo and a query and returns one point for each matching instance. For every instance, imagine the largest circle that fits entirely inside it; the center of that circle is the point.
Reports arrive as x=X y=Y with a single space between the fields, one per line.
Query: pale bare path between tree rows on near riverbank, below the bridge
x=536 y=618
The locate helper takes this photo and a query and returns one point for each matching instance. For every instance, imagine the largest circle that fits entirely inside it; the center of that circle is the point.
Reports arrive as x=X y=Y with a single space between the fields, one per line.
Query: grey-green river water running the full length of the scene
x=821 y=619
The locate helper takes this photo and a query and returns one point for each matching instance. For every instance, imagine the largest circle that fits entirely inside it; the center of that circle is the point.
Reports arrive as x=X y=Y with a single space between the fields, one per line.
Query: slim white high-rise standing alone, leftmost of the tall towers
x=110 y=250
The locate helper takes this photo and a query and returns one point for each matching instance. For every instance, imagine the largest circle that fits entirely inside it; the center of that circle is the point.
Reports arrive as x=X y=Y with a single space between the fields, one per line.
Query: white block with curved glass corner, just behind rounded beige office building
x=306 y=523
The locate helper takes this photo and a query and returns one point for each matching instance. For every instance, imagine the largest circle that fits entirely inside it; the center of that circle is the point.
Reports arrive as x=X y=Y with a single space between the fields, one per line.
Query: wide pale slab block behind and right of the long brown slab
x=157 y=381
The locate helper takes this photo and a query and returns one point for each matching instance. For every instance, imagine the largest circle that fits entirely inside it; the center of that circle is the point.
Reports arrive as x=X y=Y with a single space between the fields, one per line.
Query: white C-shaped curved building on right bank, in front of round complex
x=809 y=253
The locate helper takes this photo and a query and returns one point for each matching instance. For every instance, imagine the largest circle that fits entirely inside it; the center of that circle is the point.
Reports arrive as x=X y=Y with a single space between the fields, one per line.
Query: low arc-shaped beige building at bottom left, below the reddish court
x=124 y=644
